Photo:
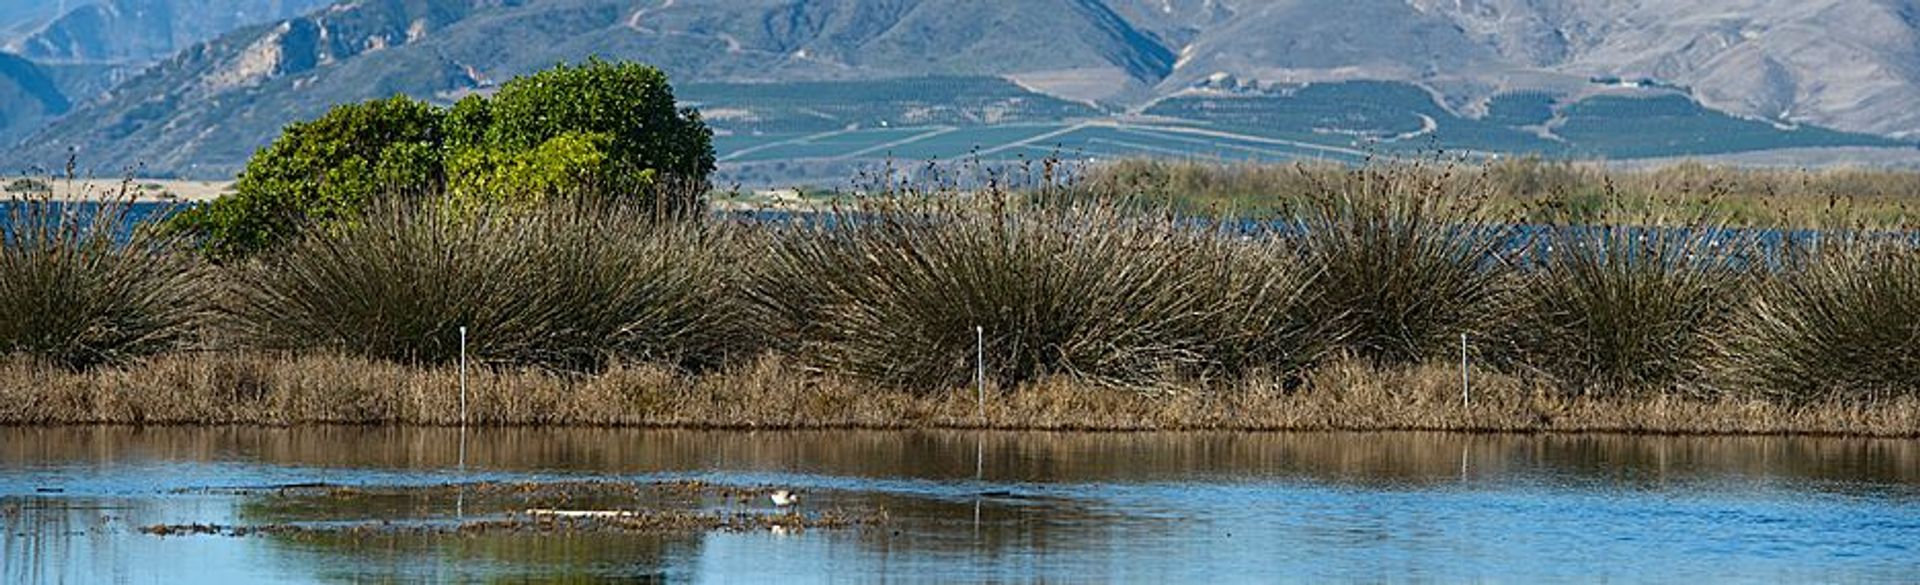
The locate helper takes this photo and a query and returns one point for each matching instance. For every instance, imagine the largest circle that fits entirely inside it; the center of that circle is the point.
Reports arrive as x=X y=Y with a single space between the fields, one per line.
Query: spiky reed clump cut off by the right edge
x=1842 y=323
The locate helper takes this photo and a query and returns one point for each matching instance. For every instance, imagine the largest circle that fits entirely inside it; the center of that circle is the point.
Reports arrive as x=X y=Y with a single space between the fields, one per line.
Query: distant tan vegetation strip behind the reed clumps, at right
x=1537 y=191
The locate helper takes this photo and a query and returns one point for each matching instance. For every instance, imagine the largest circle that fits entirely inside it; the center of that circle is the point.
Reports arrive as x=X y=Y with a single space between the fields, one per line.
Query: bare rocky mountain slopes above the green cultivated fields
x=1840 y=64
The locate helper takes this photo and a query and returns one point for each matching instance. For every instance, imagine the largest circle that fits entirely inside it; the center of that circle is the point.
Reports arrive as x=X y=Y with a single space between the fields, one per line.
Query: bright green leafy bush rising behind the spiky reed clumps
x=598 y=129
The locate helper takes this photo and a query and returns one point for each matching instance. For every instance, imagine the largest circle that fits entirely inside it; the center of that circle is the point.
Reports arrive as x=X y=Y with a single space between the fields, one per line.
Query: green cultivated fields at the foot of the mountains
x=780 y=133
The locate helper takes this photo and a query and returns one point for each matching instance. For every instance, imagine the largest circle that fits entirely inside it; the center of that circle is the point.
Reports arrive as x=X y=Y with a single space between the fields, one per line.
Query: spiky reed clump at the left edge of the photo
x=84 y=283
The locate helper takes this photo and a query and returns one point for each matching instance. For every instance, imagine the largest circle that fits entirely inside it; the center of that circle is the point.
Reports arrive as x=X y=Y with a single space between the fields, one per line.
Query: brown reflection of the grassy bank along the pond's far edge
x=1358 y=459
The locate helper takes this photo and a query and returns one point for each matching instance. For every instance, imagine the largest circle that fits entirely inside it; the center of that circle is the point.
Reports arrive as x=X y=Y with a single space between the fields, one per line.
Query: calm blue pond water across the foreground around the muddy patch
x=997 y=507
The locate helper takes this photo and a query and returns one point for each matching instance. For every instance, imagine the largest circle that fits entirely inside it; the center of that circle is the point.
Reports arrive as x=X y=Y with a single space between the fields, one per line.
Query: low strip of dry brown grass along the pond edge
x=268 y=390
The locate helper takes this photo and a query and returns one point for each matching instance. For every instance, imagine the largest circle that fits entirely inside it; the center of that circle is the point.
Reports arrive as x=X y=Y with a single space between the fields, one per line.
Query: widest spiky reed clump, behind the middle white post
x=909 y=292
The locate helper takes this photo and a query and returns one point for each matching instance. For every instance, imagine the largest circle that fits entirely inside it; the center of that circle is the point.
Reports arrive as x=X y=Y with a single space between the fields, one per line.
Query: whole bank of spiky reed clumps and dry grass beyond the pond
x=1078 y=306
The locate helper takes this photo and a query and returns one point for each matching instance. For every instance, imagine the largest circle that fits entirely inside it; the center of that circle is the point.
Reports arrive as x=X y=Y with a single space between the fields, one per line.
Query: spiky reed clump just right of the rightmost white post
x=1616 y=310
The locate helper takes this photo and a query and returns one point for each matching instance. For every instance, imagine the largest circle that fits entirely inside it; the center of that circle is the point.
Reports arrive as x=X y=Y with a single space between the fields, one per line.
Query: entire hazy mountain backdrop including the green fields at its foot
x=1335 y=78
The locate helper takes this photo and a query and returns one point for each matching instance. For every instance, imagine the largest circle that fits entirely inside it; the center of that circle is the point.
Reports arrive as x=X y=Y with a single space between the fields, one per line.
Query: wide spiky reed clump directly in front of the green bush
x=562 y=287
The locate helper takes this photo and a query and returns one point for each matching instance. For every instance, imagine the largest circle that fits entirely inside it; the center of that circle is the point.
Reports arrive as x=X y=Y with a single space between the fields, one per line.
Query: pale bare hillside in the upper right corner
x=1846 y=64
